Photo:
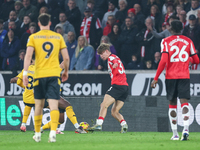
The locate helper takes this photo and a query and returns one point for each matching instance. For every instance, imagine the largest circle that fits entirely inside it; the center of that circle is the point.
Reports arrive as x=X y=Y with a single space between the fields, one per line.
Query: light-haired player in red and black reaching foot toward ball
x=118 y=91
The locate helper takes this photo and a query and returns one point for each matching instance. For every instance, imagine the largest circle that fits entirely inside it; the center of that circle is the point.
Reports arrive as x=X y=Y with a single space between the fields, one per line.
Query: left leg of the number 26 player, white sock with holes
x=172 y=113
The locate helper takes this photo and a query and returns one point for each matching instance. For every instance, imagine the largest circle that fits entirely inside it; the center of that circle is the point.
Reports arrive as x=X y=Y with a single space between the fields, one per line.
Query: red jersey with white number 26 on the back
x=179 y=49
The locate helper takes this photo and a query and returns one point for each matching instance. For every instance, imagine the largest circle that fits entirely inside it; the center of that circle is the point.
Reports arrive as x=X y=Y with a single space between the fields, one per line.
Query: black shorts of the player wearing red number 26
x=178 y=88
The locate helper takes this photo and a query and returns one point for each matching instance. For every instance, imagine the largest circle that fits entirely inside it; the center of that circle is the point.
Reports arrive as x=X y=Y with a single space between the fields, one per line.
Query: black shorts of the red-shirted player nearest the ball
x=118 y=92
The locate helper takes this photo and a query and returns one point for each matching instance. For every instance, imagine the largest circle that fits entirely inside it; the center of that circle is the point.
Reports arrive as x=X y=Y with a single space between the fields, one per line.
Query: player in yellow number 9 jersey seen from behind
x=47 y=45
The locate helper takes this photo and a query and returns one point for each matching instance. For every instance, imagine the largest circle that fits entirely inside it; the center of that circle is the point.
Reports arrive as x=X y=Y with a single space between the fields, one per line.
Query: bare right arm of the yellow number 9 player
x=65 y=62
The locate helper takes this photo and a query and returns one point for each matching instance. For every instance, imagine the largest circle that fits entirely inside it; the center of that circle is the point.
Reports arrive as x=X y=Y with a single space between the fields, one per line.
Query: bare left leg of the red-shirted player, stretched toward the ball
x=108 y=100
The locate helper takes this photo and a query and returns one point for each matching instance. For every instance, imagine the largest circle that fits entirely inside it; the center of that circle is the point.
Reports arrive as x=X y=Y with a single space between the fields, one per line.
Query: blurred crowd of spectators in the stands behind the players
x=133 y=28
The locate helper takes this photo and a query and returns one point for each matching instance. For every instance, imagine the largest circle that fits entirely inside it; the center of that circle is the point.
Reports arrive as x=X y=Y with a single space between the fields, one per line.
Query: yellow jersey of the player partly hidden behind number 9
x=28 y=96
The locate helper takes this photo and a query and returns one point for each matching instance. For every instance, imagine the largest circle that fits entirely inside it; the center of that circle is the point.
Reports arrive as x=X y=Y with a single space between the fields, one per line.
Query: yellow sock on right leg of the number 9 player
x=54 y=119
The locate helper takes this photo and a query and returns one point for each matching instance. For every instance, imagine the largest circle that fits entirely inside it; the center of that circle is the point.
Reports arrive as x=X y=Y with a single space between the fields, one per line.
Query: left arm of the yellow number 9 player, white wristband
x=27 y=62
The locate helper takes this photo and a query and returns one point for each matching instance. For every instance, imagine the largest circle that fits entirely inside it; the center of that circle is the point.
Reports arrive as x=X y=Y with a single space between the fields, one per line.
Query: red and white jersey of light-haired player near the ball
x=117 y=74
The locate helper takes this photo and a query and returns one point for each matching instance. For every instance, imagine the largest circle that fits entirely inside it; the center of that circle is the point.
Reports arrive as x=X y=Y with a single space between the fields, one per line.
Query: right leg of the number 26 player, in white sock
x=185 y=115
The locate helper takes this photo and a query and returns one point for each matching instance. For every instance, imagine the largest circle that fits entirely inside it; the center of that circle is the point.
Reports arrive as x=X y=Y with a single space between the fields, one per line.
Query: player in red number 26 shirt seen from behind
x=177 y=51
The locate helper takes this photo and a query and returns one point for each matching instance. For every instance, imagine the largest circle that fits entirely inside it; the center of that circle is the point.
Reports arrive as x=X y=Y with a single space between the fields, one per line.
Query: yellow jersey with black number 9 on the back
x=47 y=45
